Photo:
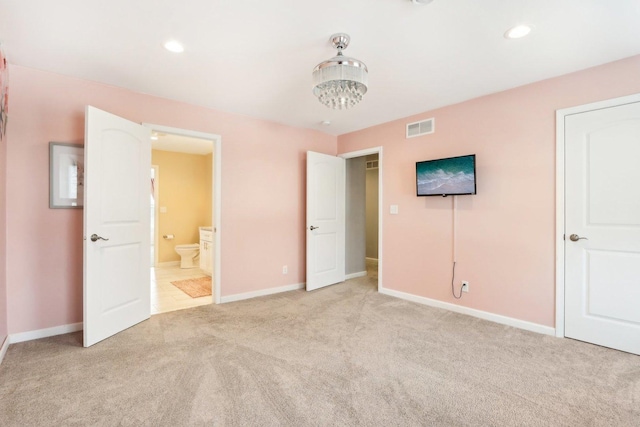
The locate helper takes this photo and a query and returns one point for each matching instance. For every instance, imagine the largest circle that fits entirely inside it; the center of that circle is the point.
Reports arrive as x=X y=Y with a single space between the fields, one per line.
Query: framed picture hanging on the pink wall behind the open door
x=66 y=176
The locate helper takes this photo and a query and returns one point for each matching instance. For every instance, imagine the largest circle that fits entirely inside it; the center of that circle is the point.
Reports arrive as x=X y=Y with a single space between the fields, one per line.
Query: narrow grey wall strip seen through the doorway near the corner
x=355 y=216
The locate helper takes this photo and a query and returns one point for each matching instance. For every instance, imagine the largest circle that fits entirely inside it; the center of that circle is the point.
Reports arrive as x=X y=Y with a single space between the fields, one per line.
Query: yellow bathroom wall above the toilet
x=184 y=187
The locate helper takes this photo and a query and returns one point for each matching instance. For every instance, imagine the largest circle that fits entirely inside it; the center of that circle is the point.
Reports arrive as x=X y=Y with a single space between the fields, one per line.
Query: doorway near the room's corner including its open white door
x=330 y=259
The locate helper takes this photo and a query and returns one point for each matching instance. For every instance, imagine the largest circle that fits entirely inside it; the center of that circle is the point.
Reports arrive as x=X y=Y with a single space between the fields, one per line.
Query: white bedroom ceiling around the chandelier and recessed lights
x=255 y=57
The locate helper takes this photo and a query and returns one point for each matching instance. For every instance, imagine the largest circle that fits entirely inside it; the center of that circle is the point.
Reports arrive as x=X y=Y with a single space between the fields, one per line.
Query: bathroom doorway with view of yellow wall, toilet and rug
x=183 y=199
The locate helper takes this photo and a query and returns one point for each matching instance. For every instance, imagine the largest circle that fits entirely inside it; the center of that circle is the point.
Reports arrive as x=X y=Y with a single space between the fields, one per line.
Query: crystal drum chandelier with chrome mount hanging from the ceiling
x=340 y=82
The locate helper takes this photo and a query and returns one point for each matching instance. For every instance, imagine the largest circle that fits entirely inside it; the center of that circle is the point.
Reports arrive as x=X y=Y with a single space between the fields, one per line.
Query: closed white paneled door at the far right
x=602 y=226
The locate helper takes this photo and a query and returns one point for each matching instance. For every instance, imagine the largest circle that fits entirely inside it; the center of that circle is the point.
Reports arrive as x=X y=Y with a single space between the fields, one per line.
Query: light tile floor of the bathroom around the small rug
x=166 y=297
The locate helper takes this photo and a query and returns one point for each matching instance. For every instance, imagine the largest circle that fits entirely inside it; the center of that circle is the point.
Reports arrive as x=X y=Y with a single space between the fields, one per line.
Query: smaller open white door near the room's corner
x=325 y=220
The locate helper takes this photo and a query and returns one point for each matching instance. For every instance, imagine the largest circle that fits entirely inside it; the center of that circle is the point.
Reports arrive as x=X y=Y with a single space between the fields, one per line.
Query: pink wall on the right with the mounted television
x=505 y=233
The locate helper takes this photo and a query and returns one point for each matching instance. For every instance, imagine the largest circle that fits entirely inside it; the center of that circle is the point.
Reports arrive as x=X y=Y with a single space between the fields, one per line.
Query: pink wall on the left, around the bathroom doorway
x=263 y=188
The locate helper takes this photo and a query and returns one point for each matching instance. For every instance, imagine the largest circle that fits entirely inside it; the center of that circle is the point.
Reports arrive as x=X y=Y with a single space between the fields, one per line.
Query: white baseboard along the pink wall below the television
x=504 y=320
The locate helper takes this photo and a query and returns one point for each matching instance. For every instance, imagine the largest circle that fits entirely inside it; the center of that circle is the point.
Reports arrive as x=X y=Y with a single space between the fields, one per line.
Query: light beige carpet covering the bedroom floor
x=339 y=356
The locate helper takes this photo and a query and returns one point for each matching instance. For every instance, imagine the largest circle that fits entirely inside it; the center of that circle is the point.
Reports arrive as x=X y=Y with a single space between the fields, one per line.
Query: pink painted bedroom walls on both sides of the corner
x=505 y=244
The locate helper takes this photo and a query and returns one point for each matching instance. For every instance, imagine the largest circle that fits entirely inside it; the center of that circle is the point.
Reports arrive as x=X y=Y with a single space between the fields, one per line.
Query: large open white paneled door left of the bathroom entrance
x=117 y=156
